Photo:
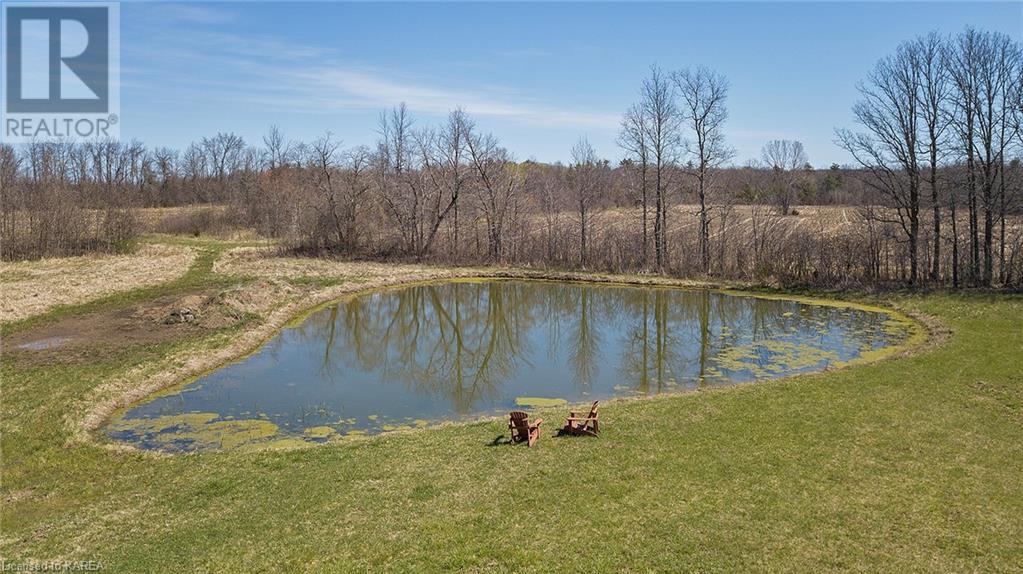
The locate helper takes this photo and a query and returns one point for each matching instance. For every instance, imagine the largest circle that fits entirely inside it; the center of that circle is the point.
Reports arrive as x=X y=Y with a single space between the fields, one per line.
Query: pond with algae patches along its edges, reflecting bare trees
x=423 y=355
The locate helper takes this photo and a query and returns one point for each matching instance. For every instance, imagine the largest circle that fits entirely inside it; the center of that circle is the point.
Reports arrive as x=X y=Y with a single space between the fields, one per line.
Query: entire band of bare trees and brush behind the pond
x=940 y=134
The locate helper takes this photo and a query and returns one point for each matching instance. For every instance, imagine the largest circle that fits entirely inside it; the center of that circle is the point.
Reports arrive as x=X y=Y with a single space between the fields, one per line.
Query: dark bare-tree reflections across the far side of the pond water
x=463 y=340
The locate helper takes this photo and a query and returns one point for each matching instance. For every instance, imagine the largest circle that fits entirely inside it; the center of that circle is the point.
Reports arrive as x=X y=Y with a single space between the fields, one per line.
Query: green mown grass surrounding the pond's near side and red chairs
x=908 y=465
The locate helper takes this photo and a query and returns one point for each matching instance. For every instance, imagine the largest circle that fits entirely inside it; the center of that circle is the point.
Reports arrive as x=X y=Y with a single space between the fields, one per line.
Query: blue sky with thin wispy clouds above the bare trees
x=540 y=76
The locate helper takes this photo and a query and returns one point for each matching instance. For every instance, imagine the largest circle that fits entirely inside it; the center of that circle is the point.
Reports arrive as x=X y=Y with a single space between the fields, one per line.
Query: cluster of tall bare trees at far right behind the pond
x=945 y=102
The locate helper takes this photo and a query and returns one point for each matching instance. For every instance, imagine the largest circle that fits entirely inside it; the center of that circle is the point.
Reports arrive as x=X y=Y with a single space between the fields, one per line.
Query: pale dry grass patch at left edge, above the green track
x=31 y=288
